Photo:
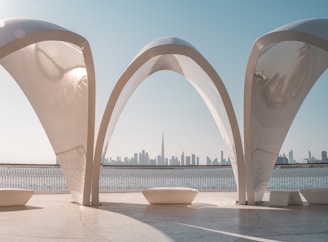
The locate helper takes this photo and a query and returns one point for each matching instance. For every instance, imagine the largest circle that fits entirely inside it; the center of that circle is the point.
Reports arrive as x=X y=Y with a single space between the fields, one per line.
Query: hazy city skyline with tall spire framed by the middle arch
x=142 y=159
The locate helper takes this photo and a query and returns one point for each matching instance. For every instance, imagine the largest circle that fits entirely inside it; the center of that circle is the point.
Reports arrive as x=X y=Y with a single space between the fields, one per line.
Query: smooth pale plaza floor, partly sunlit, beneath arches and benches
x=213 y=216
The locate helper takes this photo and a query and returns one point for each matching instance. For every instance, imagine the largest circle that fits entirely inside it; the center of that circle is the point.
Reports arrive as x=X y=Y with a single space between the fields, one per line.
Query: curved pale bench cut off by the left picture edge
x=14 y=197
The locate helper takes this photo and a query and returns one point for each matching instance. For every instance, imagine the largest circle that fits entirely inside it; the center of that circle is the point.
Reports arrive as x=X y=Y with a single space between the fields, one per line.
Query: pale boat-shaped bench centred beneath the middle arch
x=170 y=195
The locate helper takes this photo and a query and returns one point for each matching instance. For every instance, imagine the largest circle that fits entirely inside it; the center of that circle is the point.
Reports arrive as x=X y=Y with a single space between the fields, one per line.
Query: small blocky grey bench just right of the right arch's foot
x=285 y=198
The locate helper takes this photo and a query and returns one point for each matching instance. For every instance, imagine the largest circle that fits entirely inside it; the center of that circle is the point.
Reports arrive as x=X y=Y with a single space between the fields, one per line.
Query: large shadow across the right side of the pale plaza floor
x=201 y=221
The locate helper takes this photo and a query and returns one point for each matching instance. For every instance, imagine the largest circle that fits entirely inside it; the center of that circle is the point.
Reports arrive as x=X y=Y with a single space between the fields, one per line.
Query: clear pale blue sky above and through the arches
x=223 y=31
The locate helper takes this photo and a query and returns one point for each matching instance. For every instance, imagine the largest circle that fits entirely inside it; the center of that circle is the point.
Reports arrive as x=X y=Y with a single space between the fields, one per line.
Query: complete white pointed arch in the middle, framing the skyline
x=179 y=56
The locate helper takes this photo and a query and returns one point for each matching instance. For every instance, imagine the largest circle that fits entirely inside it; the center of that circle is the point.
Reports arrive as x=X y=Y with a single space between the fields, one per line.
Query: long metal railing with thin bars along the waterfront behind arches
x=48 y=179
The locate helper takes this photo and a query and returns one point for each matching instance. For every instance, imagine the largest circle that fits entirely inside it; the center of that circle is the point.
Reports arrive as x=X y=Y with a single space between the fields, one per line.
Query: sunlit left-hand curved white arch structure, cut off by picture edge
x=54 y=68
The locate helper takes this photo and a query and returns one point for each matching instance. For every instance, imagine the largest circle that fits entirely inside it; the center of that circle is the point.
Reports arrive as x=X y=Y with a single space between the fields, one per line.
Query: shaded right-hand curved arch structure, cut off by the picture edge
x=283 y=66
